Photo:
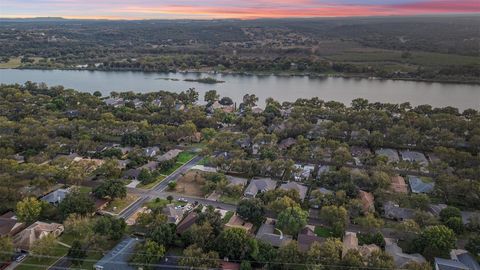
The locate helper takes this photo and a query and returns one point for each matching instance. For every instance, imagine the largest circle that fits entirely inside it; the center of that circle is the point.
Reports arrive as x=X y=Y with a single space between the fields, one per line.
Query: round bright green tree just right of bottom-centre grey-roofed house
x=292 y=220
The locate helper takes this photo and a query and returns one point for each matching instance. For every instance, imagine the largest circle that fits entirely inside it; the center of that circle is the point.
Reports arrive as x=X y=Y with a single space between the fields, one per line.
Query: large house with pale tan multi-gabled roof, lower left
x=25 y=239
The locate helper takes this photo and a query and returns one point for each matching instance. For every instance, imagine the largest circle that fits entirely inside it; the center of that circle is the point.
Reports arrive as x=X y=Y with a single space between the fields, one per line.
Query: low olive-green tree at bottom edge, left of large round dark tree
x=194 y=257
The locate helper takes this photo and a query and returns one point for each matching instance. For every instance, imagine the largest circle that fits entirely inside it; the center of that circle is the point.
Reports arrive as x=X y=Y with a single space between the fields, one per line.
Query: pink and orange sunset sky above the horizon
x=241 y=9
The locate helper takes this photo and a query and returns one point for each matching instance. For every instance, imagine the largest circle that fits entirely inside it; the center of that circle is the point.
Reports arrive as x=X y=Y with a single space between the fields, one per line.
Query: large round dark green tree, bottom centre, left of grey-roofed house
x=236 y=244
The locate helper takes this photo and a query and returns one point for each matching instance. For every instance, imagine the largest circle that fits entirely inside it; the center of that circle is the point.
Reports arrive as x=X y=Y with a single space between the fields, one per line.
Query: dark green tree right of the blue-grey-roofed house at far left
x=76 y=203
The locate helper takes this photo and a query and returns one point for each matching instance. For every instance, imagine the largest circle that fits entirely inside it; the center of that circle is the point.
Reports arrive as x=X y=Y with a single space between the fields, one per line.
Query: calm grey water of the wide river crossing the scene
x=281 y=88
